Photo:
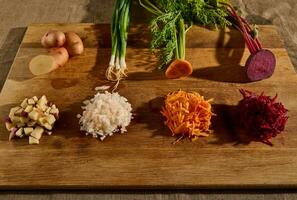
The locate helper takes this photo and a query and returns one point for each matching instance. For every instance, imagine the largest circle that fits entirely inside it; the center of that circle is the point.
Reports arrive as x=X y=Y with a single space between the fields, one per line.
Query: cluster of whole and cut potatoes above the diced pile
x=60 y=47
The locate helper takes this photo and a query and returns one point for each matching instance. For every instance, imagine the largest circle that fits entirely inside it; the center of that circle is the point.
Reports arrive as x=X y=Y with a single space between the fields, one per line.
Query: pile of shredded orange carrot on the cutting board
x=187 y=114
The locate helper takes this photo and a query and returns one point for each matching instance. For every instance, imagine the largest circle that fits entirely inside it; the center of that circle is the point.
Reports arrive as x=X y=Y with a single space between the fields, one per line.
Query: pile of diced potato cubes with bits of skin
x=32 y=118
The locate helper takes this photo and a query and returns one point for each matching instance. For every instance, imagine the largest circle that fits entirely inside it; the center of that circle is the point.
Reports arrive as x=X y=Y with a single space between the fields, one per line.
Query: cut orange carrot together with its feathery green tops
x=172 y=19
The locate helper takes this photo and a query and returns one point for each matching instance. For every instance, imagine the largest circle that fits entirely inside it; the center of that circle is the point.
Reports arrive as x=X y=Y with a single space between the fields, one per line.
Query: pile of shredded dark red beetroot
x=262 y=116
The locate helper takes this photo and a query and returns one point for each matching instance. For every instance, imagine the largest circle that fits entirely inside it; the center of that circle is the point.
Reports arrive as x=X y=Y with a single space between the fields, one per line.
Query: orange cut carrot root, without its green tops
x=179 y=68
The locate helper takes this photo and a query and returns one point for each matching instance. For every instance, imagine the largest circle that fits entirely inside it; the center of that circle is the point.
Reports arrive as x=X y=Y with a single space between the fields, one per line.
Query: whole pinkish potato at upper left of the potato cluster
x=53 y=38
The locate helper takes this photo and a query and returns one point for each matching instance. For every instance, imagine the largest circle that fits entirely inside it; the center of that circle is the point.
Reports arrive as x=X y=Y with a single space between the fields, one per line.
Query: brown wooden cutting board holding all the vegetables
x=145 y=157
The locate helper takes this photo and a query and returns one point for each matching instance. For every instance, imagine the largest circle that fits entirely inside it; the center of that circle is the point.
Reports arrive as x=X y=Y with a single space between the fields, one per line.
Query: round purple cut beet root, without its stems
x=260 y=65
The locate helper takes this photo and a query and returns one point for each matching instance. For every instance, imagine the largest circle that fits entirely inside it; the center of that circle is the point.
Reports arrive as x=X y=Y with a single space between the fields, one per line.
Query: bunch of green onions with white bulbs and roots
x=119 y=35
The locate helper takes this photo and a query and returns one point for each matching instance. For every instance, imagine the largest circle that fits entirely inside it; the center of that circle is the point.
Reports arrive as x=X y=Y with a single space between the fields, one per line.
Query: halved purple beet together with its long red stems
x=261 y=63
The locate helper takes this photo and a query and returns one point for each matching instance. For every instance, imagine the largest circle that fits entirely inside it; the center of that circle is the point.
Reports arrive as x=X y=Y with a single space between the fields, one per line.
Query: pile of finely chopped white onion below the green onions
x=105 y=114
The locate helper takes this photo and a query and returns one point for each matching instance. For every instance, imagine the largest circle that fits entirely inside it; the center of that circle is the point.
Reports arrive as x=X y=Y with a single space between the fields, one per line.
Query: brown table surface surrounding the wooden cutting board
x=15 y=15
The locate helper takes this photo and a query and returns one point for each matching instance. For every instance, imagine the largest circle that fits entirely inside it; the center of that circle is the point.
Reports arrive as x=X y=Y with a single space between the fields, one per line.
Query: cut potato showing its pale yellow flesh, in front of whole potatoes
x=42 y=64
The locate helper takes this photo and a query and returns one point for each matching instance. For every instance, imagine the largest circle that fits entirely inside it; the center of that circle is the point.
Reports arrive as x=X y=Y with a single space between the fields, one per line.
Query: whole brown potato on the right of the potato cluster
x=74 y=44
